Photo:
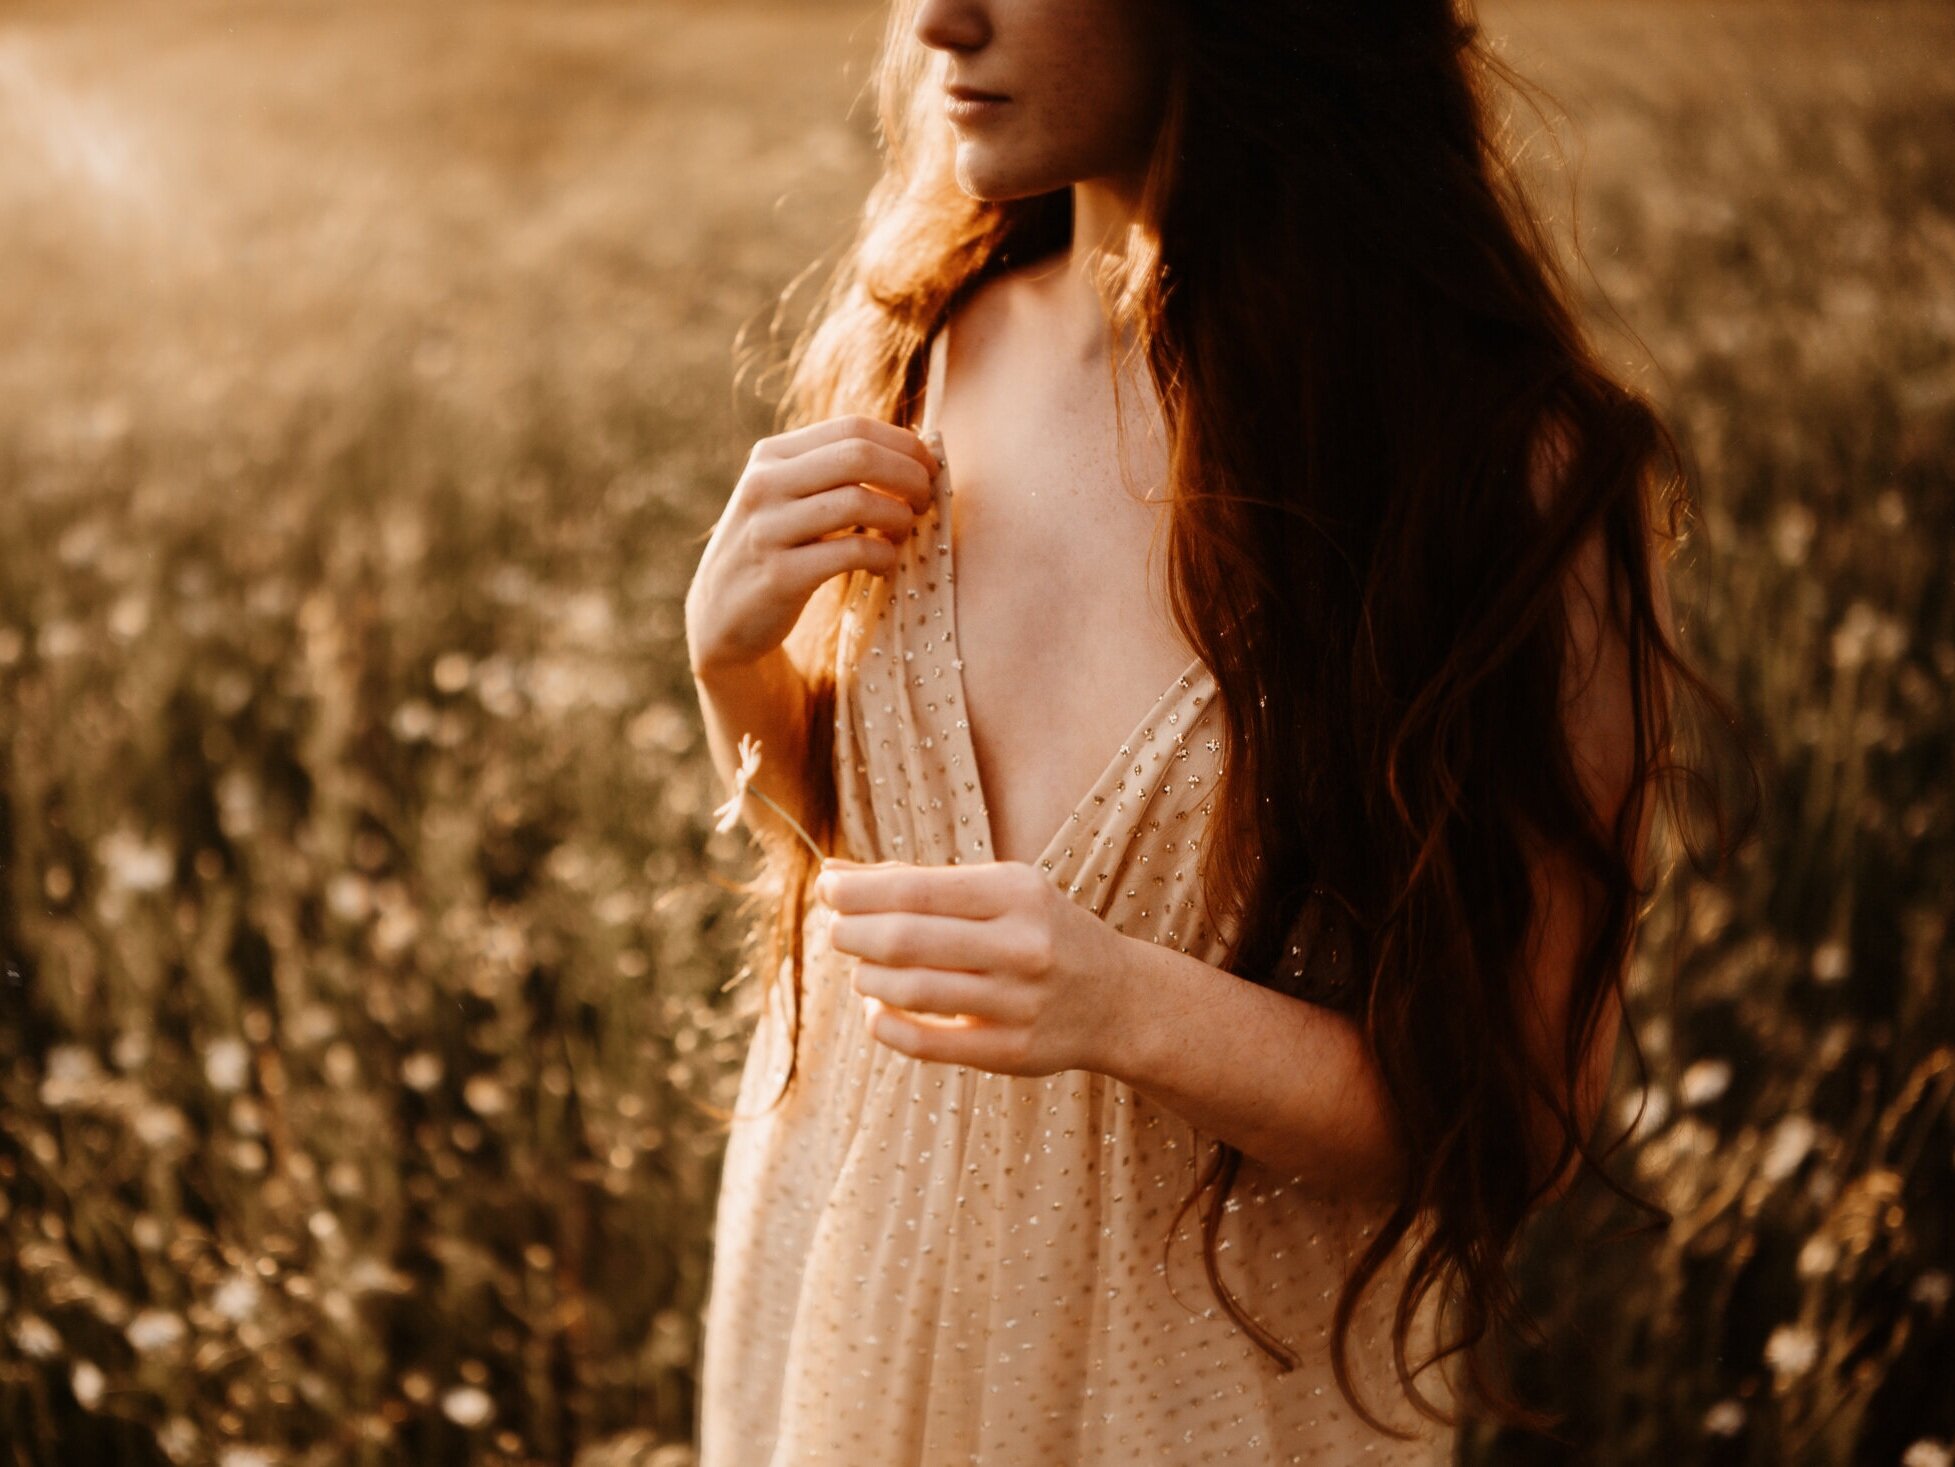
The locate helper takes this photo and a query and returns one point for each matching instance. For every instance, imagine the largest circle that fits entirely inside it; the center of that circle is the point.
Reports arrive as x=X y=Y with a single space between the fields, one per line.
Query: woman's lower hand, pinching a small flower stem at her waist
x=986 y=965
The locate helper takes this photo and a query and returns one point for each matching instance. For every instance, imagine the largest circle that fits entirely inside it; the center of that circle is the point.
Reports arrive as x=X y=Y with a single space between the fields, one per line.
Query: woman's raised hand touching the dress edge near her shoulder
x=816 y=502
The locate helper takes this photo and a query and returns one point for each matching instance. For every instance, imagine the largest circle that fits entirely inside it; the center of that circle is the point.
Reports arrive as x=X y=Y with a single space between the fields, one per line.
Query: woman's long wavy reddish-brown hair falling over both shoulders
x=1366 y=355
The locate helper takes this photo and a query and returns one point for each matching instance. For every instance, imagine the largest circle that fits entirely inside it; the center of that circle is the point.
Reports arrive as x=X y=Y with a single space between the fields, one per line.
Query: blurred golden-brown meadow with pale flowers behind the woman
x=369 y=386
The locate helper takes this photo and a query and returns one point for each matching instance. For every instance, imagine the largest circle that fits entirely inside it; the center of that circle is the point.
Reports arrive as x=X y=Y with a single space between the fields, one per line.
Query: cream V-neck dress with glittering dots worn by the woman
x=922 y=1263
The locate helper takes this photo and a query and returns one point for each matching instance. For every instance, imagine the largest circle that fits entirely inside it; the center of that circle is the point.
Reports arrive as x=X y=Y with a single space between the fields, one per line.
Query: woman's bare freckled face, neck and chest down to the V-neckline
x=1059 y=482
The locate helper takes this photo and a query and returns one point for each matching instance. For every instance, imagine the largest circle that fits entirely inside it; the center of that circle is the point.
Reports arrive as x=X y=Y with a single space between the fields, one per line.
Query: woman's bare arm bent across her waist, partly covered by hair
x=1037 y=985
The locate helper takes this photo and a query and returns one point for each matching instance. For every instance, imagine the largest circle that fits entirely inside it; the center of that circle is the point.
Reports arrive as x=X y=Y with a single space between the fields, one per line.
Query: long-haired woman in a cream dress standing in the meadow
x=1332 y=940
